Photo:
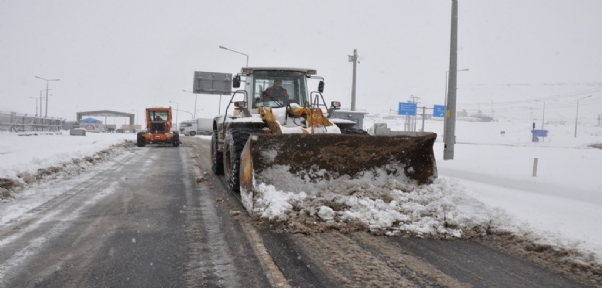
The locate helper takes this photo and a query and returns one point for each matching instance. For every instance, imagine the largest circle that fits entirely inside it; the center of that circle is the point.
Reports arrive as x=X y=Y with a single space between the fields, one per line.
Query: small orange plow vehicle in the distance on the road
x=158 y=129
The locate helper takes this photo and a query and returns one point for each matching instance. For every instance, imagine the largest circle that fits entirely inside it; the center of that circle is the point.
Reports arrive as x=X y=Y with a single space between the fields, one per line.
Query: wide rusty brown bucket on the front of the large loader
x=314 y=163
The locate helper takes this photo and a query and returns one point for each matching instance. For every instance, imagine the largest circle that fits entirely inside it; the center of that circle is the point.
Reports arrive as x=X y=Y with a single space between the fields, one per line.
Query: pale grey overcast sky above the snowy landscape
x=129 y=55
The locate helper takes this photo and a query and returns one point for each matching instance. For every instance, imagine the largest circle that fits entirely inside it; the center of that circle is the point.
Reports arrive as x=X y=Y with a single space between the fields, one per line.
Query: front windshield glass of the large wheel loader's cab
x=292 y=81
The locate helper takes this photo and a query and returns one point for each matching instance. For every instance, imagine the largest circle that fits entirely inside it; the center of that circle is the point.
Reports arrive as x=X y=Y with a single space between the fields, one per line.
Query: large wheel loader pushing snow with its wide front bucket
x=292 y=143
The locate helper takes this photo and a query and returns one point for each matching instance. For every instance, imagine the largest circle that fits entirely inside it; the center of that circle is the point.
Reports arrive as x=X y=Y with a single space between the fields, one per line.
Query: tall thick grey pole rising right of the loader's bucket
x=450 y=111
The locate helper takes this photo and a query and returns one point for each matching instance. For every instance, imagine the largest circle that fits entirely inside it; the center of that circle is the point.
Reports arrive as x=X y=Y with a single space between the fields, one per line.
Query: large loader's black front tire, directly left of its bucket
x=235 y=141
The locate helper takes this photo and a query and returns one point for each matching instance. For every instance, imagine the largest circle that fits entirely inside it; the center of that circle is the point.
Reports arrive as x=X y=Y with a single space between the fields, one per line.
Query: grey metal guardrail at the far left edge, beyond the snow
x=15 y=122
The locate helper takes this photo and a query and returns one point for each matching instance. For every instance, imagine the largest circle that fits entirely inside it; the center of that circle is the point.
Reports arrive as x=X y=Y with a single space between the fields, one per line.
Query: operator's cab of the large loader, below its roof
x=293 y=81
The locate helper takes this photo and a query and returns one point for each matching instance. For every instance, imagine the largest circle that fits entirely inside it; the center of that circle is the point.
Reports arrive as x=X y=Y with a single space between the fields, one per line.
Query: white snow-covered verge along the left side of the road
x=26 y=160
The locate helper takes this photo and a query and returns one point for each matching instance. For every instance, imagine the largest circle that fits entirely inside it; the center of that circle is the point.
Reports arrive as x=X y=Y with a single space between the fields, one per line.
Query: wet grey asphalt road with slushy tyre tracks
x=157 y=217
